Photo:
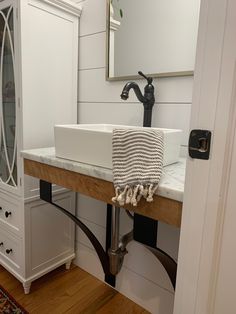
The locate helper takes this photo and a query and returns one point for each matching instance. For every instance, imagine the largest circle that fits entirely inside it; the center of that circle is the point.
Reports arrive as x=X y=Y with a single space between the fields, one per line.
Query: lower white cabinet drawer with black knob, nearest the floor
x=10 y=250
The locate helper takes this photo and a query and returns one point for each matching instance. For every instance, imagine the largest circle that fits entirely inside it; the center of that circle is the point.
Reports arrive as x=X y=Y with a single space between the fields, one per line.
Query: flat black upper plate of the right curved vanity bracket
x=145 y=230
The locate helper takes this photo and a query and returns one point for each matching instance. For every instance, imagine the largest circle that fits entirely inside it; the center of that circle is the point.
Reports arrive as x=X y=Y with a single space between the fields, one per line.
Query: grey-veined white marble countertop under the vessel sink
x=171 y=184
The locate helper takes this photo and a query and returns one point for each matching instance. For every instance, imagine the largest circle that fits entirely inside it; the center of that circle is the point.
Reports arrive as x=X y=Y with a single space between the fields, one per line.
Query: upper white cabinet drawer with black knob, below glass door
x=10 y=213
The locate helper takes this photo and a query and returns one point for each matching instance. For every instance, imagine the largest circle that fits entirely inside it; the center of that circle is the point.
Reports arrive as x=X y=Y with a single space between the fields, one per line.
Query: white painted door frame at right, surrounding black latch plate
x=207 y=254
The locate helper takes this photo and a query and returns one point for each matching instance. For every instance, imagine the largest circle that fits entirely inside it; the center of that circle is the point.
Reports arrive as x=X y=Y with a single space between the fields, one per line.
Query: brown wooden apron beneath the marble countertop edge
x=162 y=209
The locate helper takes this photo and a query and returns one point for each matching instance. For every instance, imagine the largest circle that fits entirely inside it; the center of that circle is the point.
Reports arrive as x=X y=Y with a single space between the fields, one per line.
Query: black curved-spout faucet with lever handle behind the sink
x=148 y=99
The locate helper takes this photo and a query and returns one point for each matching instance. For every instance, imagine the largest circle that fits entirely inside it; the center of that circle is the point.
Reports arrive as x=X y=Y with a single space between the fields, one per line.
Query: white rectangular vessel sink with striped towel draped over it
x=92 y=143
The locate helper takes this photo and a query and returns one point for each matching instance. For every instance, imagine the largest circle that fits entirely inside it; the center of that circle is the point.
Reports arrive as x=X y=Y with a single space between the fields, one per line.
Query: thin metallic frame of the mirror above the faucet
x=132 y=77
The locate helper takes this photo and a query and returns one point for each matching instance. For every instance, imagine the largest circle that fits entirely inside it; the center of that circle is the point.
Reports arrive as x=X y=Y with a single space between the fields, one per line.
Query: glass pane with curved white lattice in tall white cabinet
x=8 y=147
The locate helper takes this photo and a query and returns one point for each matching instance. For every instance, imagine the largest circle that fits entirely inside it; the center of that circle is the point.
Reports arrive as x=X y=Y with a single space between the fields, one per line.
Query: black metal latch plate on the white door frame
x=199 y=144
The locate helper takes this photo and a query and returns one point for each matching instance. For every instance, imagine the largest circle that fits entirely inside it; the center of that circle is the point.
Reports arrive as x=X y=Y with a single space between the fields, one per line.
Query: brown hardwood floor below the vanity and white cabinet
x=74 y=291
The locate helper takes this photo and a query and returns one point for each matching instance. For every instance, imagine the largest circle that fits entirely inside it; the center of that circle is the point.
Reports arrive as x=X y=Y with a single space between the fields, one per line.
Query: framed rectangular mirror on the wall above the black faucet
x=157 y=37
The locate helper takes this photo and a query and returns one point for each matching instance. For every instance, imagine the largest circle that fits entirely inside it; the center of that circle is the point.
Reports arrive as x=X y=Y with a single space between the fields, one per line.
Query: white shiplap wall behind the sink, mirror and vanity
x=142 y=278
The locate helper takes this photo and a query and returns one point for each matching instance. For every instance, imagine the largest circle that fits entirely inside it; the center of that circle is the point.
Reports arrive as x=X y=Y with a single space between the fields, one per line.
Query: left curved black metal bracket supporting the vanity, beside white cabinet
x=46 y=195
